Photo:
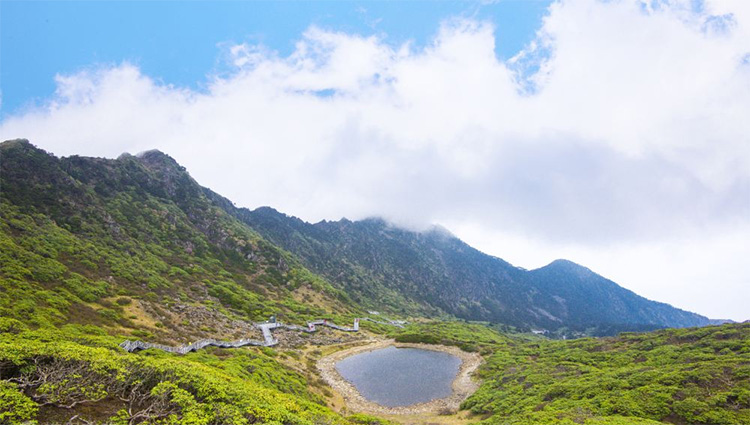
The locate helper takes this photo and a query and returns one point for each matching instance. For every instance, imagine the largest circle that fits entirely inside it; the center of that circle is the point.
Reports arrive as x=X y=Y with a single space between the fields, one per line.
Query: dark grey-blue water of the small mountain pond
x=400 y=376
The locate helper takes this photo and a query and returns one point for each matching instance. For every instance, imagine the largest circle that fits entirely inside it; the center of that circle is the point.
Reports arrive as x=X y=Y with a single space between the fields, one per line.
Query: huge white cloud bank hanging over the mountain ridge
x=634 y=140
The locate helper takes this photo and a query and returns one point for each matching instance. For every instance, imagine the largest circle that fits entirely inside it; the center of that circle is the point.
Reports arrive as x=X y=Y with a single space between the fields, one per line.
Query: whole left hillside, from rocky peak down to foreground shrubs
x=95 y=251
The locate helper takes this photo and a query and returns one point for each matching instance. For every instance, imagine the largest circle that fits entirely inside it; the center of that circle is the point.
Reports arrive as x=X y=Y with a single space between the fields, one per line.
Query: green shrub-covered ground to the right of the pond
x=696 y=376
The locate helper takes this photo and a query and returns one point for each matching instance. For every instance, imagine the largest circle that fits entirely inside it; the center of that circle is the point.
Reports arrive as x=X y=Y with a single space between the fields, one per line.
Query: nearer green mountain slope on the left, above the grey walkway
x=133 y=245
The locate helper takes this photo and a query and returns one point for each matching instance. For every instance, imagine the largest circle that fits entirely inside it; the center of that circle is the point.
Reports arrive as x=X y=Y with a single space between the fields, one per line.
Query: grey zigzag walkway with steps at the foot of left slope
x=265 y=328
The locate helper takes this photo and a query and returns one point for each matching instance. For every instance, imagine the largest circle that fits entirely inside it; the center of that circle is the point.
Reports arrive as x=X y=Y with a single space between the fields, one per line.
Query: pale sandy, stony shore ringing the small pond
x=463 y=385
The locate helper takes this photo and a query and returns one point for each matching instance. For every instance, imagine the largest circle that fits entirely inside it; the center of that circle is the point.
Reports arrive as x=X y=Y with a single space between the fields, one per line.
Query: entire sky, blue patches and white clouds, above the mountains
x=613 y=133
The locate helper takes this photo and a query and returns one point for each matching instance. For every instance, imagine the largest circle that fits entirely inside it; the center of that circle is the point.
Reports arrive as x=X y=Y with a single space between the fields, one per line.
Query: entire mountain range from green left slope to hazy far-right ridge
x=79 y=233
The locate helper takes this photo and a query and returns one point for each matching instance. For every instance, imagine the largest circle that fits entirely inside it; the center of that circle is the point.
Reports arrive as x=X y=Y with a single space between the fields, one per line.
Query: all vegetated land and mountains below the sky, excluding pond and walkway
x=94 y=251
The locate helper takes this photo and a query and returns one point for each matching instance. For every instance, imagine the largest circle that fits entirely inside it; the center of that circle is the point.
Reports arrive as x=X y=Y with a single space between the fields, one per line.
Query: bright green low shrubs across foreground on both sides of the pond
x=686 y=376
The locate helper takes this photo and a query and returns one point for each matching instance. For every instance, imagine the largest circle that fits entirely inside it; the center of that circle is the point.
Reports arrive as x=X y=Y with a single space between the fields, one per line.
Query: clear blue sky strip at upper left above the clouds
x=179 y=42
